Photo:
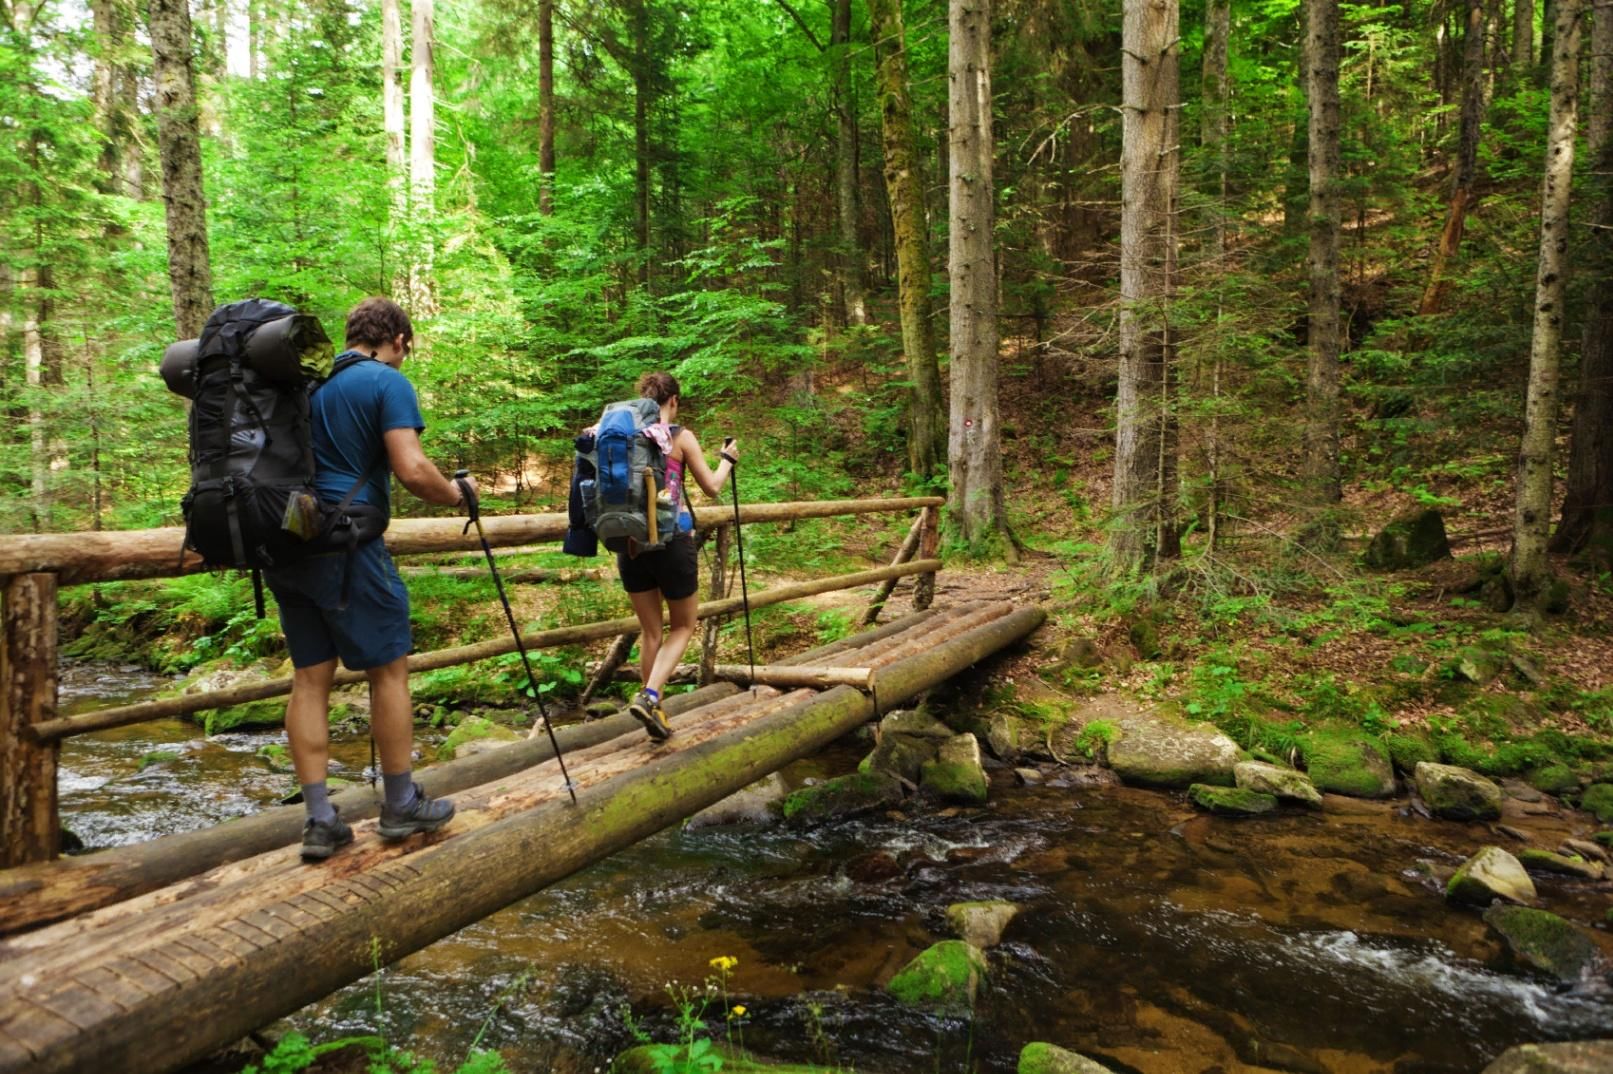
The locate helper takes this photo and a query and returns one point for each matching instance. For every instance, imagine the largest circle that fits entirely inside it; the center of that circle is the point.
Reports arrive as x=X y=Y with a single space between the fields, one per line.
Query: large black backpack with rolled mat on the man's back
x=252 y=501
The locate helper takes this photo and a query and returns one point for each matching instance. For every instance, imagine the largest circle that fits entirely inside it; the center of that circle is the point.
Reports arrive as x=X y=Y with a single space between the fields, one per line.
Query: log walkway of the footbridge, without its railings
x=149 y=959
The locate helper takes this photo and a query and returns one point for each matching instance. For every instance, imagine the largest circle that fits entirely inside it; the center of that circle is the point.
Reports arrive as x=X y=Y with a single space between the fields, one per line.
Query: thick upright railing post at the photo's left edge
x=30 y=826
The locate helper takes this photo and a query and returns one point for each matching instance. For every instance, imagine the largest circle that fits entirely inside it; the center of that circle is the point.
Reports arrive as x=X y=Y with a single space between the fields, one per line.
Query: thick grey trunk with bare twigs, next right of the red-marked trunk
x=1144 y=478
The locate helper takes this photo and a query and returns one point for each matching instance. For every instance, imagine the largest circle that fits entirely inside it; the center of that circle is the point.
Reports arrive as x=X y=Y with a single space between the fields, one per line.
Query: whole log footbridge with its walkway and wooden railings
x=146 y=959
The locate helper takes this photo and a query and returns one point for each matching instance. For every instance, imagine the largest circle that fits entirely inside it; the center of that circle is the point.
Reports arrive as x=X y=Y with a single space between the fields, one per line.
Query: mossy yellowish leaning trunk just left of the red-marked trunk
x=906 y=193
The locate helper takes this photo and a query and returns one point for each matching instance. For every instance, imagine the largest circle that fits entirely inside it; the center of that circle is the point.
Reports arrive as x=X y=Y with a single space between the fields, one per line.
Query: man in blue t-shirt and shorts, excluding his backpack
x=352 y=606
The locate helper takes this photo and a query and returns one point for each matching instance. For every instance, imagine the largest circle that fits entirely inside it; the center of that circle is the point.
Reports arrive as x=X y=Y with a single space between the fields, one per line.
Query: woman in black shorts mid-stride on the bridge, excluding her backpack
x=670 y=575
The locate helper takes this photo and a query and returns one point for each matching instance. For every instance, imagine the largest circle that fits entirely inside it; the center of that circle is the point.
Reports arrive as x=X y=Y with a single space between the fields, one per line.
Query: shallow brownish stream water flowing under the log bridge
x=1151 y=938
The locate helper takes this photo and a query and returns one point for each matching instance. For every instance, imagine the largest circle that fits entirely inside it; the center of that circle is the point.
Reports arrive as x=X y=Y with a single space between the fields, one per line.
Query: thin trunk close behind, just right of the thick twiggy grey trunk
x=1214 y=131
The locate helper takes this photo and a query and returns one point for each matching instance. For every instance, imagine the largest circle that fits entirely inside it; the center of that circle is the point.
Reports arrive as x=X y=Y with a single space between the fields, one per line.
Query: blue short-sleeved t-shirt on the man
x=351 y=414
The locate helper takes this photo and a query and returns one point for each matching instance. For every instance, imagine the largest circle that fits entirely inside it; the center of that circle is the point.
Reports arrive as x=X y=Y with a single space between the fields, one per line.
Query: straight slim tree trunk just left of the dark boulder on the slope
x=1322 y=388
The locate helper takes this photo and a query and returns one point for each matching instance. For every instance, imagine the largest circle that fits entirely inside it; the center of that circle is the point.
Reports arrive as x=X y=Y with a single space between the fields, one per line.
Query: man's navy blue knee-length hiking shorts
x=370 y=633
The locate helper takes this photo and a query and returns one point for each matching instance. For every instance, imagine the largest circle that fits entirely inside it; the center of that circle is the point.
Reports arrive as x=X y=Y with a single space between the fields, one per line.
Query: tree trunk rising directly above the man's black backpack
x=180 y=141
